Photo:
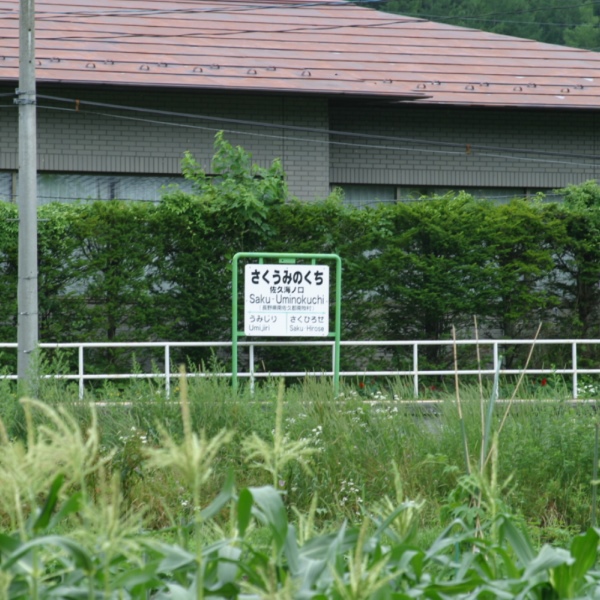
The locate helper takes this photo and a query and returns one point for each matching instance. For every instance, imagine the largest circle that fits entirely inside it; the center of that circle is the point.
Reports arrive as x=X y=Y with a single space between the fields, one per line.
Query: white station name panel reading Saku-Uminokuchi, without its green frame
x=286 y=300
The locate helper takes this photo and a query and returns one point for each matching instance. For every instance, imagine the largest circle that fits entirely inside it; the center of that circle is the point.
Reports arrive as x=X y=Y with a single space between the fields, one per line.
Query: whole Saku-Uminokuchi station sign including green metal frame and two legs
x=286 y=309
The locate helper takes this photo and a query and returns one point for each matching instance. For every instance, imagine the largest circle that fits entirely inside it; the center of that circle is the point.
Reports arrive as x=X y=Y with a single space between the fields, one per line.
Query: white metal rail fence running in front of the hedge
x=492 y=349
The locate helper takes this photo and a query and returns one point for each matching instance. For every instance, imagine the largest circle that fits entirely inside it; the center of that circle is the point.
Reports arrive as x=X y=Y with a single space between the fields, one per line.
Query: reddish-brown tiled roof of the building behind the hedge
x=296 y=46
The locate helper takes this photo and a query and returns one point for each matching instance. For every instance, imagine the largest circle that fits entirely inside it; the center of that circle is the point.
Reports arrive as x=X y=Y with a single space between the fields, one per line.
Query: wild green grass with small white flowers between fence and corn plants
x=545 y=450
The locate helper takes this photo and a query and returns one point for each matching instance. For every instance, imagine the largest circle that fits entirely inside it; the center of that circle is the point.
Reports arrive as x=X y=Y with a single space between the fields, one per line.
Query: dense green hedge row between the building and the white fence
x=140 y=271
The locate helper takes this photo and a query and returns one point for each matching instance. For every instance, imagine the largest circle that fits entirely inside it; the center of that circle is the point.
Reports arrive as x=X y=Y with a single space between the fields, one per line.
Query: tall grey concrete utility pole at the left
x=27 y=333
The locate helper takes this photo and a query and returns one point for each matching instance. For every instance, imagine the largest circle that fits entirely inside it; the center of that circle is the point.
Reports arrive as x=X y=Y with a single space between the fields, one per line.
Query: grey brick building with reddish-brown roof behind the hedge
x=385 y=106
